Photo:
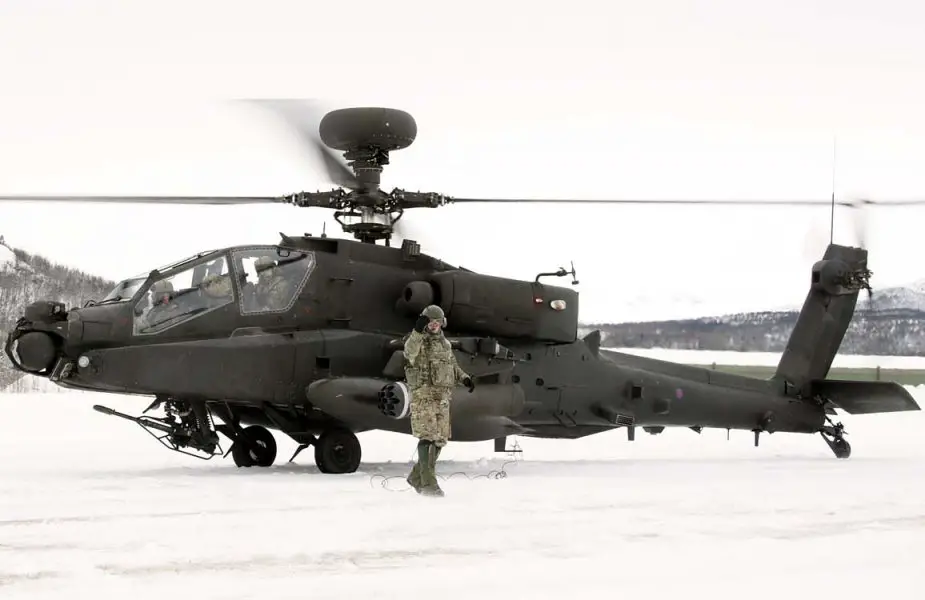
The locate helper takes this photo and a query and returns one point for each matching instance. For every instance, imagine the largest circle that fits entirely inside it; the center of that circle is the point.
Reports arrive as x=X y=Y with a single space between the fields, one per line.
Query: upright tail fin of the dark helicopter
x=827 y=311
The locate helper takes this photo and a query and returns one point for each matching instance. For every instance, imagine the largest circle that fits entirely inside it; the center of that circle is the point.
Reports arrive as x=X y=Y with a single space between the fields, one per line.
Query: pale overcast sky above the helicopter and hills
x=663 y=98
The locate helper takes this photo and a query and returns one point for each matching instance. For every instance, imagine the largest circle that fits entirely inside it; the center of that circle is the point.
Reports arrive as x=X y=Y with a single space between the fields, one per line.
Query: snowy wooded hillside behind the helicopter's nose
x=25 y=278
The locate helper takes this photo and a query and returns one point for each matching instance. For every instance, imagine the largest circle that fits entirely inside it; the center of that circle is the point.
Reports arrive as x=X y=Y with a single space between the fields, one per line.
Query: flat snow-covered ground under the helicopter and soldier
x=92 y=507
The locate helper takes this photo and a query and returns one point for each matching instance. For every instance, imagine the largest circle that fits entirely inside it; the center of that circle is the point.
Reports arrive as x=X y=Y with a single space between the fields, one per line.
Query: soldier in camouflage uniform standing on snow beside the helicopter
x=431 y=372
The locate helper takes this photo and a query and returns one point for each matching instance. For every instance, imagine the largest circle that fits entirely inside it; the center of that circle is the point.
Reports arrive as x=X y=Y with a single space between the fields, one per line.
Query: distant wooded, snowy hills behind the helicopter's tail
x=892 y=325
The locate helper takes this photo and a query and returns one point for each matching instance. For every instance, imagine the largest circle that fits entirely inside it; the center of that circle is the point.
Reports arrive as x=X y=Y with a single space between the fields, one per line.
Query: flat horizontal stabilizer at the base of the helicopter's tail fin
x=865 y=397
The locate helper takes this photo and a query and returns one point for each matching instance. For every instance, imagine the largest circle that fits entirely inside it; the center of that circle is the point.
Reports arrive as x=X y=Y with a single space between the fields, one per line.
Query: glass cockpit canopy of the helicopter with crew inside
x=261 y=279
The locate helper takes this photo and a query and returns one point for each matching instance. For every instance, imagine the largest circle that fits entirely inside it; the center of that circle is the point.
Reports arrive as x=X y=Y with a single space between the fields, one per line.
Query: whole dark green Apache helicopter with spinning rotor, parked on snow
x=305 y=336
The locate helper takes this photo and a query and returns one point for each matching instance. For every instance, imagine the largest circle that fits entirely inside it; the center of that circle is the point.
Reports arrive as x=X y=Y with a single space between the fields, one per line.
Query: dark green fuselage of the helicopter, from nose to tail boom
x=306 y=337
